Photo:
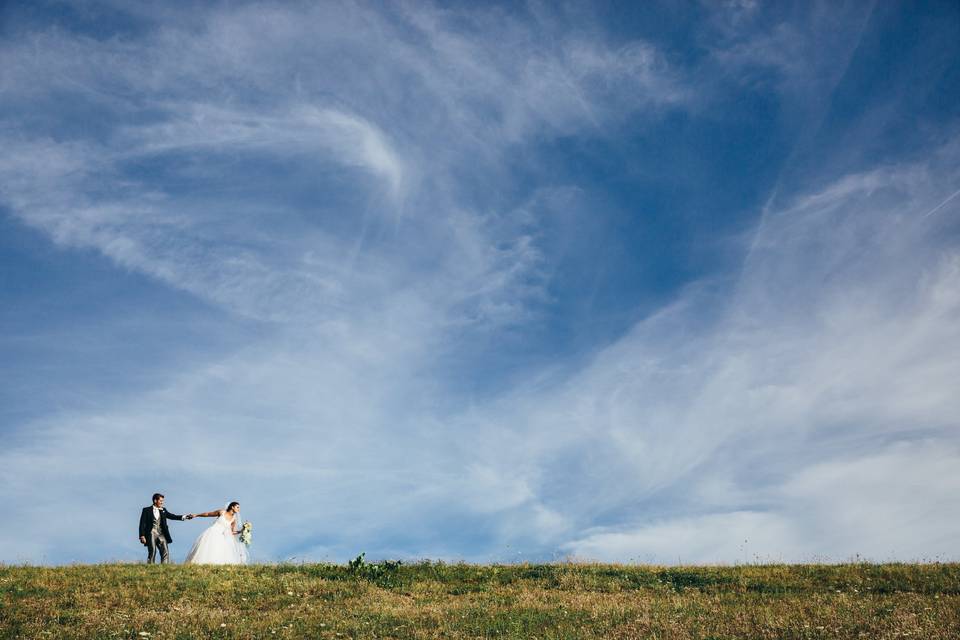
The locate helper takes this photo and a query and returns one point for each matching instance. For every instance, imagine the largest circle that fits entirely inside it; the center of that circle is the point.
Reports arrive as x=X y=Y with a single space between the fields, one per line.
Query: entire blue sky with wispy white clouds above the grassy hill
x=660 y=282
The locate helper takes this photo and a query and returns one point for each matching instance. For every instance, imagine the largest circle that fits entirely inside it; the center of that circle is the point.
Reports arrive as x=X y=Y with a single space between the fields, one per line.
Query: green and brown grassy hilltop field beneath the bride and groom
x=435 y=600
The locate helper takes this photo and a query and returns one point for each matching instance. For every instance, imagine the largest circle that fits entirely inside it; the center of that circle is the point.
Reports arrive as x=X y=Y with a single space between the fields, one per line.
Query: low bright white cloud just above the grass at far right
x=892 y=504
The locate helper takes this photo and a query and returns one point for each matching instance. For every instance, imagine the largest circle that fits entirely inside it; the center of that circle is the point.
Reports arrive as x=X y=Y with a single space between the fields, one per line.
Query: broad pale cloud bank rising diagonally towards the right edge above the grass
x=715 y=421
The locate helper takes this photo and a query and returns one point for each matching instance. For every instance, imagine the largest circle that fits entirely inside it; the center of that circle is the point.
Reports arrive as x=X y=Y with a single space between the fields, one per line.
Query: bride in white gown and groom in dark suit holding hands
x=218 y=544
